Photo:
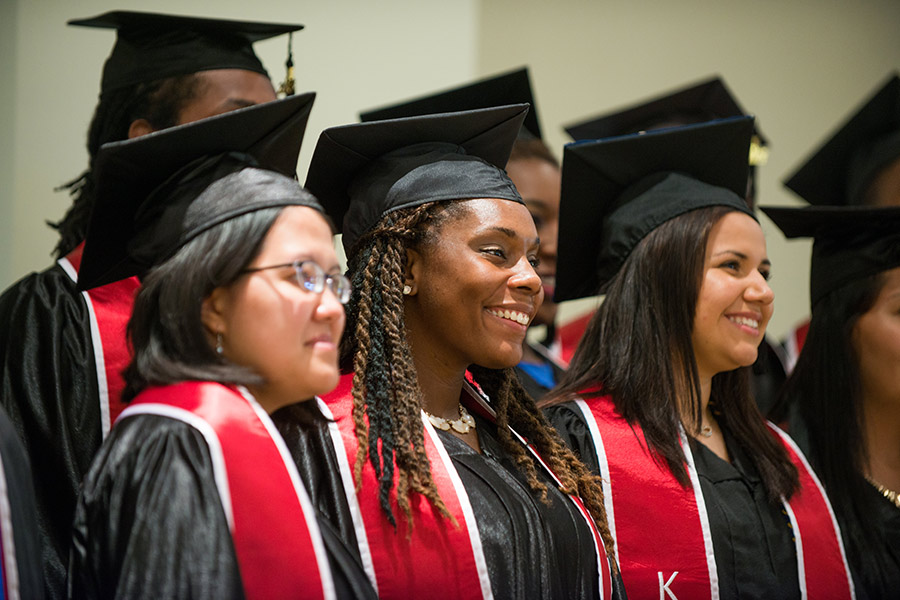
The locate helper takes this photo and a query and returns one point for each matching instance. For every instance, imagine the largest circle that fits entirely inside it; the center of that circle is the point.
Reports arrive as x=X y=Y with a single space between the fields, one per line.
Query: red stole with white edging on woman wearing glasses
x=276 y=537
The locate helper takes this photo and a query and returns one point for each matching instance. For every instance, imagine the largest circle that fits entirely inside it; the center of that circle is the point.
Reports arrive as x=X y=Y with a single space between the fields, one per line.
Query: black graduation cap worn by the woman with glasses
x=157 y=192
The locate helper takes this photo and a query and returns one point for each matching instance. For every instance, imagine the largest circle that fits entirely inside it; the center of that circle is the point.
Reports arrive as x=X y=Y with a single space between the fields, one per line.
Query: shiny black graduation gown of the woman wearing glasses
x=150 y=524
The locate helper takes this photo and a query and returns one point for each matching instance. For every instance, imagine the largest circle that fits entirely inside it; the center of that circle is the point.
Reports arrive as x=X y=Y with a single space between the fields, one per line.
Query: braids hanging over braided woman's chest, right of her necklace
x=515 y=408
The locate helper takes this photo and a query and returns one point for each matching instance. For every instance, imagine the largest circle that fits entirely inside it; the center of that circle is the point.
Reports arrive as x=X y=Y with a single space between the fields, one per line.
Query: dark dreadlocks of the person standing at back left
x=159 y=102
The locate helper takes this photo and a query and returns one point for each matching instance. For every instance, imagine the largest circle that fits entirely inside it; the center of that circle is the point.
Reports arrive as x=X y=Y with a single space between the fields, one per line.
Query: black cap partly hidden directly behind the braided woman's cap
x=513 y=87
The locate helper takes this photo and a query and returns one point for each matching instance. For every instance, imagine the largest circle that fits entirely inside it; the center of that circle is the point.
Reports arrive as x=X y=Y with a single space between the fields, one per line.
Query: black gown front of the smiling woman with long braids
x=532 y=549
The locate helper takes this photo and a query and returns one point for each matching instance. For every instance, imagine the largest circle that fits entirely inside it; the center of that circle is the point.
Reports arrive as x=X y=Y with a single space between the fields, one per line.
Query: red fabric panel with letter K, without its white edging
x=658 y=530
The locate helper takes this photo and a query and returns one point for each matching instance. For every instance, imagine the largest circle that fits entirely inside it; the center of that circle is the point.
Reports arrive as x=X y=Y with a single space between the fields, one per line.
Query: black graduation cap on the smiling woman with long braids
x=363 y=171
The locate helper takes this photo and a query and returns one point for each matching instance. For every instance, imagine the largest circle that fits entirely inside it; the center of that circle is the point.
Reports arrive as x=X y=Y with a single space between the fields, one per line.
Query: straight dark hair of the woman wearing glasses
x=168 y=339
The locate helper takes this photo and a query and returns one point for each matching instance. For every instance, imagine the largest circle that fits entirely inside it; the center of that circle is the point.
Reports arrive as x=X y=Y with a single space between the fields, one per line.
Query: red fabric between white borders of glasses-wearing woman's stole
x=271 y=536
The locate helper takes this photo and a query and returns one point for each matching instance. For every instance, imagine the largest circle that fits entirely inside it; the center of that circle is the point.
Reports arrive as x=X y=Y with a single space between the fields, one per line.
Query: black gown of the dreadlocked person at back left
x=48 y=386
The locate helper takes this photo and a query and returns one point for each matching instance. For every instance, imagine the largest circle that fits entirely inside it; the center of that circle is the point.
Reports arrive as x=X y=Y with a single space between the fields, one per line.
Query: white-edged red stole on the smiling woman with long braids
x=434 y=558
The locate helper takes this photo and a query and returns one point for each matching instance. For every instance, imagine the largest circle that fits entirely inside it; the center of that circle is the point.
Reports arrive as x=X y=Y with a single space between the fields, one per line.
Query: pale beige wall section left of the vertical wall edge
x=356 y=54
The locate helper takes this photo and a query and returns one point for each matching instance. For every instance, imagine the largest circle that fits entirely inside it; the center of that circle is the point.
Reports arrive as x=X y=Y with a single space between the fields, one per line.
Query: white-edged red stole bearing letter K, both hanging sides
x=663 y=539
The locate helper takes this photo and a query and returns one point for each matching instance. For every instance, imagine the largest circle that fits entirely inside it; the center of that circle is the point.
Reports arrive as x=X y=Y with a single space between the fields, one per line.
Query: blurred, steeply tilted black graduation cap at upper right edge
x=839 y=172
